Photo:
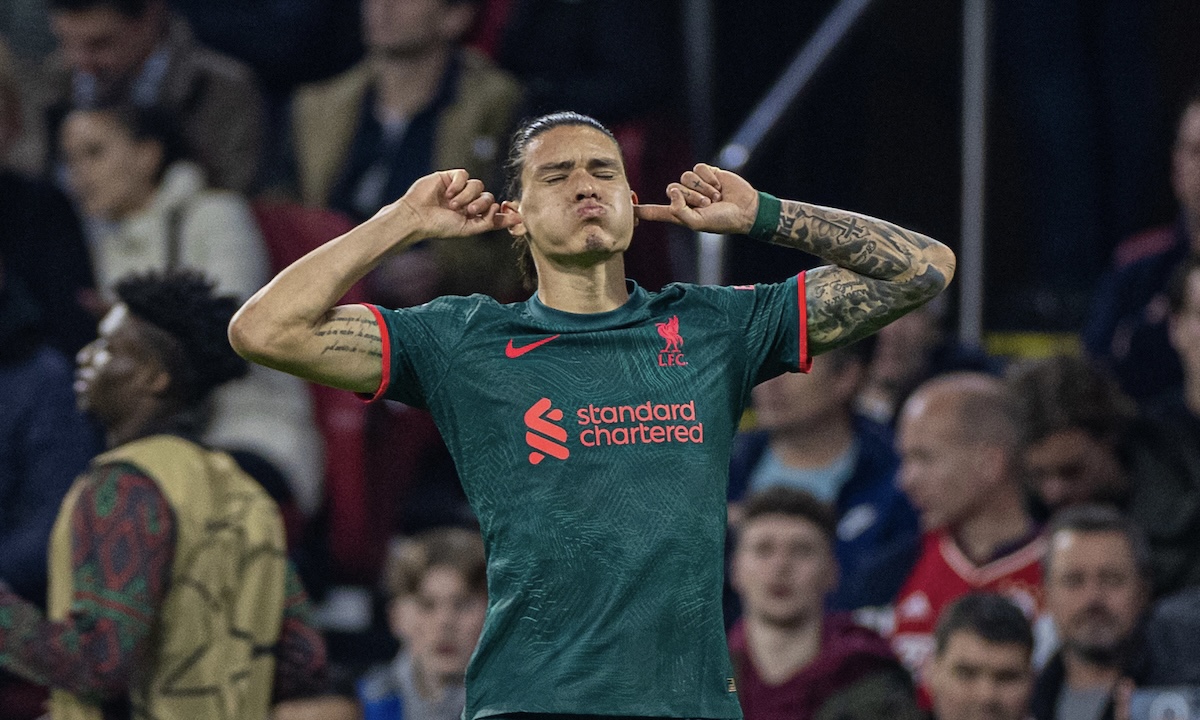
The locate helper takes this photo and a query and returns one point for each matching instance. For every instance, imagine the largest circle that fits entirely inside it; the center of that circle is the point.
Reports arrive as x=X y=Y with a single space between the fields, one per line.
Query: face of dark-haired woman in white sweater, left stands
x=111 y=173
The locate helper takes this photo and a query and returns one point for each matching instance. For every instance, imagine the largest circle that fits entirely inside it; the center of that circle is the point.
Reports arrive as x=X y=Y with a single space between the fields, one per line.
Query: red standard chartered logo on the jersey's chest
x=649 y=423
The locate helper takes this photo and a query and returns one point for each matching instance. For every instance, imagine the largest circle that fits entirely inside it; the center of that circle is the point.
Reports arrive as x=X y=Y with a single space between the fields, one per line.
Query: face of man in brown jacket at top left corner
x=105 y=44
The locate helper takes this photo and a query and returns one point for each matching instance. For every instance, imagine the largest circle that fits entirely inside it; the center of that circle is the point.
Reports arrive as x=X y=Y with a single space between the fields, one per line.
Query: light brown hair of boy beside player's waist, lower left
x=412 y=559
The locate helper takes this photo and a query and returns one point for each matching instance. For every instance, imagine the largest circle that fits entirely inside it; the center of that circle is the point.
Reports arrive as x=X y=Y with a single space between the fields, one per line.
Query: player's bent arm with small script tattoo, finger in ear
x=293 y=326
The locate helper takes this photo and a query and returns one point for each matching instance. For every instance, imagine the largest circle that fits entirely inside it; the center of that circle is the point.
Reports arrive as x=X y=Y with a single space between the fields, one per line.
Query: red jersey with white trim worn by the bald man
x=943 y=574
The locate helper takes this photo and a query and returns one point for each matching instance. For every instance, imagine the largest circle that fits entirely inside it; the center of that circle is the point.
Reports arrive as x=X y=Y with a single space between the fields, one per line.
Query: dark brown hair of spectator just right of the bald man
x=1065 y=393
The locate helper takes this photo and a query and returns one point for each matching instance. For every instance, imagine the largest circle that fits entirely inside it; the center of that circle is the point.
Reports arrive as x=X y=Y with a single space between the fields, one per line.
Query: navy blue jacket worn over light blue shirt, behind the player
x=879 y=532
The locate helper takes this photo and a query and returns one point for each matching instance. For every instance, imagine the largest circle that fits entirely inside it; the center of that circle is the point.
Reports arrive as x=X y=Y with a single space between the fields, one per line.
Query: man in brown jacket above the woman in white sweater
x=137 y=52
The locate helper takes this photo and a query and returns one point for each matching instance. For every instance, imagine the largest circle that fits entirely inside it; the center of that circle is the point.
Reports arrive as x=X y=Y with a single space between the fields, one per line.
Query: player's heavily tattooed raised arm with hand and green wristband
x=879 y=273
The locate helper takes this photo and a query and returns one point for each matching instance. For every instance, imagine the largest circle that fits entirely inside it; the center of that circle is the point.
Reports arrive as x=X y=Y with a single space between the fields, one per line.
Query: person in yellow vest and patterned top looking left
x=169 y=575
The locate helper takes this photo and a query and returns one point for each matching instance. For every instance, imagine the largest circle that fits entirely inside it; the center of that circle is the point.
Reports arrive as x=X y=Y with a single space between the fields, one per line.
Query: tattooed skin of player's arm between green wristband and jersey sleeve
x=879 y=273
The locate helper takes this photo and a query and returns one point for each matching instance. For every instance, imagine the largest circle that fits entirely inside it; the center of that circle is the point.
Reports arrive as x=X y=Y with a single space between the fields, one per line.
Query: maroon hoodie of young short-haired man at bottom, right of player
x=849 y=653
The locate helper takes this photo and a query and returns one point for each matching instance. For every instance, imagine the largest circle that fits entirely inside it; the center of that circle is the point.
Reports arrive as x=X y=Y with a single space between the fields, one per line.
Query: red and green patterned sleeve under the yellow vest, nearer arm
x=123 y=543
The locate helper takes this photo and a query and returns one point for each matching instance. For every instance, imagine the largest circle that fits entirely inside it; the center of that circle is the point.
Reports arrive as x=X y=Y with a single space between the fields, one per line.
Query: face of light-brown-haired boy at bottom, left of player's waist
x=441 y=625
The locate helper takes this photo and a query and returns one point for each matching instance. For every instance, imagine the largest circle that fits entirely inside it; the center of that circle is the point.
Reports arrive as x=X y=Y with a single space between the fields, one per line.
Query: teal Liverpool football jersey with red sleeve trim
x=595 y=451
